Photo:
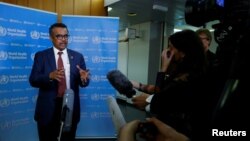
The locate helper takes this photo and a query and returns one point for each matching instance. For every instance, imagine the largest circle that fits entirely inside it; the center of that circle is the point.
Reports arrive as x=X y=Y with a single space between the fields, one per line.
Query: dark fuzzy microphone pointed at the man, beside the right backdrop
x=121 y=83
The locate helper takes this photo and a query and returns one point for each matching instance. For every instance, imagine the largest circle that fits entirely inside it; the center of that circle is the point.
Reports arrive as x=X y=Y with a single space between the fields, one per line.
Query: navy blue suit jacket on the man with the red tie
x=44 y=63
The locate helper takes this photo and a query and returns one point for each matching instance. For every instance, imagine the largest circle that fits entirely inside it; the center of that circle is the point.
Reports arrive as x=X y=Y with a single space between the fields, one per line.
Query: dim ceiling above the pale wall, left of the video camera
x=169 y=11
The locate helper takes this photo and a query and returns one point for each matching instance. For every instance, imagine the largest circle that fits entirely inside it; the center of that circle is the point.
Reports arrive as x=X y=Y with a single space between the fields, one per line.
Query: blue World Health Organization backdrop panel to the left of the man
x=23 y=31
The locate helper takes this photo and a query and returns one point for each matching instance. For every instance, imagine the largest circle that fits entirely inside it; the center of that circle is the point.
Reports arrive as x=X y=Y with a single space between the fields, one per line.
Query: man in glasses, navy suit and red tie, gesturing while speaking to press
x=49 y=76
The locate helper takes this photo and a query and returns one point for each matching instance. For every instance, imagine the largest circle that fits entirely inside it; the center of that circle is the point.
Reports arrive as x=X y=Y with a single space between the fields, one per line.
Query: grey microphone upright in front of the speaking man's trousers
x=67 y=109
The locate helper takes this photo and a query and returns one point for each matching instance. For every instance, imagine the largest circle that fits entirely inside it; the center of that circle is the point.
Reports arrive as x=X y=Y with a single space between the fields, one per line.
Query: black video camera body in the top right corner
x=199 y=12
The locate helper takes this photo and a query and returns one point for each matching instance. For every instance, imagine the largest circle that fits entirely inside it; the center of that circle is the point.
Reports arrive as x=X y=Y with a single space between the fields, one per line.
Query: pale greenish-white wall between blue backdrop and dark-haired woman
x=139 y=58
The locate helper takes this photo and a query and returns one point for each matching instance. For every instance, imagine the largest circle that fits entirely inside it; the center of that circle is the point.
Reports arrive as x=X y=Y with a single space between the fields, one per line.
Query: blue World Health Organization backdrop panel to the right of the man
x=97 y=39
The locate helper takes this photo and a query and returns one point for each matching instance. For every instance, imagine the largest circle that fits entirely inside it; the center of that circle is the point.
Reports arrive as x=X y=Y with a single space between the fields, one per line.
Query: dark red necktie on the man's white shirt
x=62 y=83
